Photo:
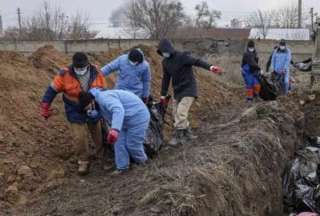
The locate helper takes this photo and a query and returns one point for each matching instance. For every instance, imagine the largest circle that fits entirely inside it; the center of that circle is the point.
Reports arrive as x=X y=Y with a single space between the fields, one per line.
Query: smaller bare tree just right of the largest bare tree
x=205 y=17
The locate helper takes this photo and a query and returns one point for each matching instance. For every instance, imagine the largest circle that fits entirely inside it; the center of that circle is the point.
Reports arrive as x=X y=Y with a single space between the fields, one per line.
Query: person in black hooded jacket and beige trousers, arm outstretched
x=178 y=67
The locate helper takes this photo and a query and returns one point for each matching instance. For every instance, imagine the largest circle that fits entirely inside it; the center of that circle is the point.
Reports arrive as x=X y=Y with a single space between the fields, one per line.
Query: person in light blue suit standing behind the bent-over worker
x=134 y=73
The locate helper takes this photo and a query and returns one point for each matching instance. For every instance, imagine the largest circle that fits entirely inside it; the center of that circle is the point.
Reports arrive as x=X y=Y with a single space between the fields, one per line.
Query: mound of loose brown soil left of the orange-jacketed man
x=31 y=150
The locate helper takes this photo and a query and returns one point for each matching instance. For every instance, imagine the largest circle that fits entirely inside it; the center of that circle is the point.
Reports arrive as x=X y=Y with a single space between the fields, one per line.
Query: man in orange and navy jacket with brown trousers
x=79 y=77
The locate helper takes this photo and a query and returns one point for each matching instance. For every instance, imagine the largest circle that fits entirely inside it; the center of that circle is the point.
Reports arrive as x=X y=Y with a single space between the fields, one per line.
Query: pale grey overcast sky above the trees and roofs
x=99 y=10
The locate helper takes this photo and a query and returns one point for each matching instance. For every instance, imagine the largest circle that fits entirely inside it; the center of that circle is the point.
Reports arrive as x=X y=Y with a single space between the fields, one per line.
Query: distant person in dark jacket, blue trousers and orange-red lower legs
x=250 y=71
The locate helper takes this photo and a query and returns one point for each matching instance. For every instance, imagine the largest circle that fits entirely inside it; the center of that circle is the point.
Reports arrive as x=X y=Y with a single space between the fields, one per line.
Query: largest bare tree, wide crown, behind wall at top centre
x=156 y=17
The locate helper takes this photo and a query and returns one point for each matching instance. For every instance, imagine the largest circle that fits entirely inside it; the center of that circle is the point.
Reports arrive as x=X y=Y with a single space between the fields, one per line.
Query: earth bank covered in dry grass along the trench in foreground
x=235 y=168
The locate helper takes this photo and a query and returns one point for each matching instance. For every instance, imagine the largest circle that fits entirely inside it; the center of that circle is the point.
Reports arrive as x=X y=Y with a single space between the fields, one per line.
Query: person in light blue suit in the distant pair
x=280 y=63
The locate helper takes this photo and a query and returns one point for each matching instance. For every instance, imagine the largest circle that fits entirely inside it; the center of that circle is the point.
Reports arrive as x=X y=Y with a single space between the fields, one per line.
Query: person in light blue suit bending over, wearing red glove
x=129 y=118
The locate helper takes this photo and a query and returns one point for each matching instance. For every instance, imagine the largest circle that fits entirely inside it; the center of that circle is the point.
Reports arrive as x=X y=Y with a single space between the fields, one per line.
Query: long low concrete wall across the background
x=201 y=47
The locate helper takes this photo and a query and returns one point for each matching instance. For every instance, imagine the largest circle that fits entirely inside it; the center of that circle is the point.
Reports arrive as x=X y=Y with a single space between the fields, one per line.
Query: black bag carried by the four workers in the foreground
x=154 y=135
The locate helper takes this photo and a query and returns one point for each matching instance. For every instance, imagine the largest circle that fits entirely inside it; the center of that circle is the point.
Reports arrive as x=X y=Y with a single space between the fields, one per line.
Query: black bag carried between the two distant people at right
x=269 y=91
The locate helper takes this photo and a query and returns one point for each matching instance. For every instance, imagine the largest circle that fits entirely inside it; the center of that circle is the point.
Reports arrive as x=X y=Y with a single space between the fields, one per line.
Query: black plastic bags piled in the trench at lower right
x=301 y=183
